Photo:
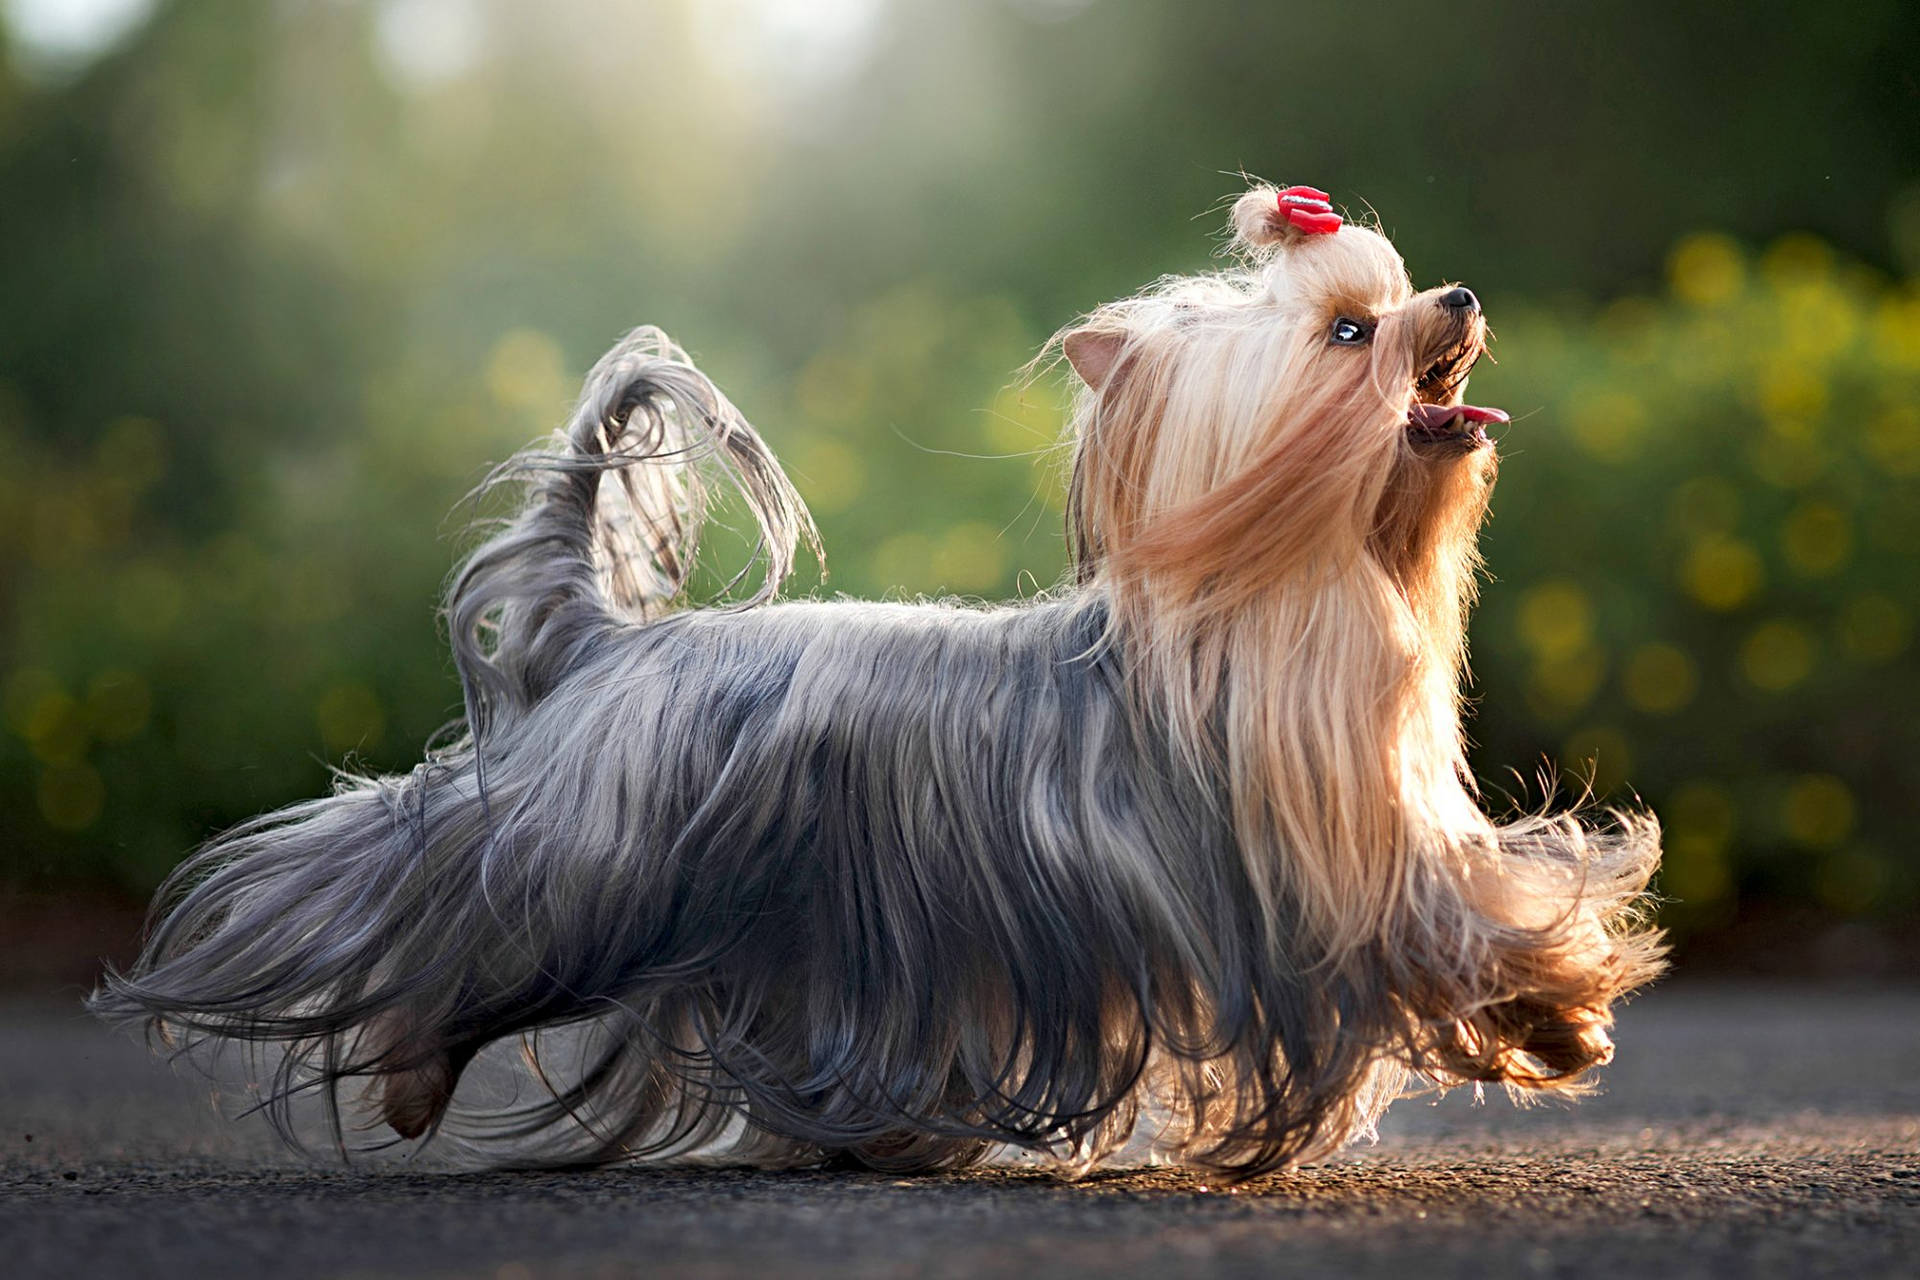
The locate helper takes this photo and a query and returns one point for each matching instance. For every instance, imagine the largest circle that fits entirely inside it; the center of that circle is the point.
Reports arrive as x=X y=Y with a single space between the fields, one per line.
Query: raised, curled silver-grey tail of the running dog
x=612 y=523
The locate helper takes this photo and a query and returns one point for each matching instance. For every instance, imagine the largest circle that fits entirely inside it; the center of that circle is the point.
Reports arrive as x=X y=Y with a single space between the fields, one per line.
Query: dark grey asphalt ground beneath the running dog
x=1744 y=1131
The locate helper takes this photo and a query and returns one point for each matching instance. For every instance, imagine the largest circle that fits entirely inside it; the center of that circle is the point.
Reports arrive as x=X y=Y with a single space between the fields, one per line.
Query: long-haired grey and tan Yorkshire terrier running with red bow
x=1186 y=847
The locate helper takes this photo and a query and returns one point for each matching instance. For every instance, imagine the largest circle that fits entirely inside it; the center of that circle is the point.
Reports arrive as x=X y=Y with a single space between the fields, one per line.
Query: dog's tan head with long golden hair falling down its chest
x=1278 y=486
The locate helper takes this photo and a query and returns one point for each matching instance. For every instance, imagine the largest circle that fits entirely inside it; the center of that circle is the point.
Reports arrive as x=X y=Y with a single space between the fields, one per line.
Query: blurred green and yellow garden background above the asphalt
x=283 y=277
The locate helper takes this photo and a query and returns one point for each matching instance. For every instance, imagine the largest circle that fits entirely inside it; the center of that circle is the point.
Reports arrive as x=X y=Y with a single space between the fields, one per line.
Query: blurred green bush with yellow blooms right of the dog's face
x=1704 y=586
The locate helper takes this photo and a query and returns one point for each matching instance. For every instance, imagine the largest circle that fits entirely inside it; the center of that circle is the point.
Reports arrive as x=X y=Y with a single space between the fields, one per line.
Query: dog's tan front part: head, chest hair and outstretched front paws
x=1278 y=485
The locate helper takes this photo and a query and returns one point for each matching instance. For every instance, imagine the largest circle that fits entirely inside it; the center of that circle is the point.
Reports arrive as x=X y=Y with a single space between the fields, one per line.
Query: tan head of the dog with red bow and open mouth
x=1284 y=417
